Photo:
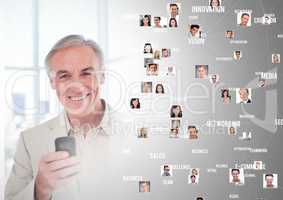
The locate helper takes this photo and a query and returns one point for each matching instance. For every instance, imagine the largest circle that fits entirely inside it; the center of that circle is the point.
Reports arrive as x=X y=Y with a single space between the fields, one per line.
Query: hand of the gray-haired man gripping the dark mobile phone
x=54 y=167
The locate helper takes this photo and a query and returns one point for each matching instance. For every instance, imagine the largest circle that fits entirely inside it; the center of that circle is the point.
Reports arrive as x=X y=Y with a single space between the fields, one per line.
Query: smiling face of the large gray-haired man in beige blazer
x=74 y=78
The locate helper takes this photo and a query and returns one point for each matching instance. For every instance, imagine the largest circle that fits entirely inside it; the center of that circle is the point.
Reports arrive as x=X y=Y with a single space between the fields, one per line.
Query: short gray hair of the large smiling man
x=74 y=40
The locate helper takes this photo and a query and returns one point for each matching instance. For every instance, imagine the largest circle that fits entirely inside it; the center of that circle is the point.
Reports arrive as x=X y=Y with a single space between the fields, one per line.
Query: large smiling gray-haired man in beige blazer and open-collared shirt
x=75 y=69
